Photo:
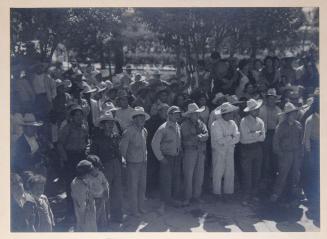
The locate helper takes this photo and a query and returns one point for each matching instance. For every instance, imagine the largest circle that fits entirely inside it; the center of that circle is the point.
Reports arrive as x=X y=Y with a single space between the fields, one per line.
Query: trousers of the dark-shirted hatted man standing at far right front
x=289 y=165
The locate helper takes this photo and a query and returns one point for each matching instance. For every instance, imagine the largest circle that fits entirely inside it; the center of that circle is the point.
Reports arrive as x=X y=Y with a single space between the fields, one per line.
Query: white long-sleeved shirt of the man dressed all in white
x=224 y=133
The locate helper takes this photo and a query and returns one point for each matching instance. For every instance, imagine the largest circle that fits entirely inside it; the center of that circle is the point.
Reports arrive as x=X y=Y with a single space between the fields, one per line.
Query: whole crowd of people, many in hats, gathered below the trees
x=242 y=126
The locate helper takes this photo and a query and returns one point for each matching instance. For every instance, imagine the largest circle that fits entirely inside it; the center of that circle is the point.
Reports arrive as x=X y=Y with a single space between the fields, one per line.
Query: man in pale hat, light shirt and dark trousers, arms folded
x=253 y=132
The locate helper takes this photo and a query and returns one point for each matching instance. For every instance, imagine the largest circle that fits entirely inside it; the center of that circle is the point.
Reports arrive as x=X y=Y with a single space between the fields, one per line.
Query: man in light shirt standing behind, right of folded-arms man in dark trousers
x=269 y=113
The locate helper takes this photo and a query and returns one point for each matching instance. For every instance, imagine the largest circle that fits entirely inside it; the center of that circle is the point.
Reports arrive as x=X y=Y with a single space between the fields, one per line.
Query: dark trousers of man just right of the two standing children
x=113 y=173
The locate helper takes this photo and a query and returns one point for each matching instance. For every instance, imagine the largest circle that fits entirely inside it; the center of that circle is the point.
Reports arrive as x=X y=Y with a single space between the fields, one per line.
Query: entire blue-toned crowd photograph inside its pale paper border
x=162 y=119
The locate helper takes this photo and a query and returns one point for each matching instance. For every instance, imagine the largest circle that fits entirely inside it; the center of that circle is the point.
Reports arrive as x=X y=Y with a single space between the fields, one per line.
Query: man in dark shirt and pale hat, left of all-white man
x=194 y=137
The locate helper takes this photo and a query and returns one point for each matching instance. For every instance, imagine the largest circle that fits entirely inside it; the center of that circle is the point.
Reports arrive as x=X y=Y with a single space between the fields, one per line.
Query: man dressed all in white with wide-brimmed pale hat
x=224 y=136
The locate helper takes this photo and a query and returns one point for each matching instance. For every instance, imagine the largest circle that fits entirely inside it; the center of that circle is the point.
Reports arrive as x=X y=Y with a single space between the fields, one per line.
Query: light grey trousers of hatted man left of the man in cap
x=136 y=185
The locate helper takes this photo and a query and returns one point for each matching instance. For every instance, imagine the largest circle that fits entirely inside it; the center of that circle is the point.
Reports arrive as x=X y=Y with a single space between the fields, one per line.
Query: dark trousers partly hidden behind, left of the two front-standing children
x=69 y=173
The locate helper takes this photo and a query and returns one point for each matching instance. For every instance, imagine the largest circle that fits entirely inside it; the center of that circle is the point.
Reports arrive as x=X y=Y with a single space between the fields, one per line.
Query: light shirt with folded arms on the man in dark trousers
x=252 y=130
